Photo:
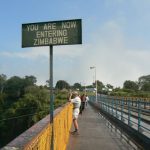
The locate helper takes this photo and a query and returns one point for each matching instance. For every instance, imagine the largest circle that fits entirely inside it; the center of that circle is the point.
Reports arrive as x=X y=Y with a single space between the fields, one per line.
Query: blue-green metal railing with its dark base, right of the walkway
x=127 y=115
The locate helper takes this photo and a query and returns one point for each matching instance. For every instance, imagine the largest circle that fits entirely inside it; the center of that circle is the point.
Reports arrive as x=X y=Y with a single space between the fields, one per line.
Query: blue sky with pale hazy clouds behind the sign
x=116 y=39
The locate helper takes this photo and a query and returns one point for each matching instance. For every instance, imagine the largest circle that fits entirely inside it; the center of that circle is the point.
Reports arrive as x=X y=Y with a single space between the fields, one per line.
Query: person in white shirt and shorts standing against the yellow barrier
x=75 y=99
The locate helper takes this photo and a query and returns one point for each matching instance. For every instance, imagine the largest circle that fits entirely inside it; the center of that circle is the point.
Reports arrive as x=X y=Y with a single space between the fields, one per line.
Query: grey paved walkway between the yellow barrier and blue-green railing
x=95 y=134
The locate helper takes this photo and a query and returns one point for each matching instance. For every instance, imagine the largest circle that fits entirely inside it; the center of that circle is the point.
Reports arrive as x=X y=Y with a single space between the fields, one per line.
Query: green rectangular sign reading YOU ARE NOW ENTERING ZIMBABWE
x=65 y=32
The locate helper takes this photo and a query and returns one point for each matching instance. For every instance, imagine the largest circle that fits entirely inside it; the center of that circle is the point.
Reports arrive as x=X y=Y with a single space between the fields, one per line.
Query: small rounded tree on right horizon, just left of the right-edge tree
x=131 y=85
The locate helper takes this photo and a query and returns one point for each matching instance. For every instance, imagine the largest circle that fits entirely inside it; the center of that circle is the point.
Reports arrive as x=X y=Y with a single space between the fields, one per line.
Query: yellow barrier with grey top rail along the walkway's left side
x=38 y=137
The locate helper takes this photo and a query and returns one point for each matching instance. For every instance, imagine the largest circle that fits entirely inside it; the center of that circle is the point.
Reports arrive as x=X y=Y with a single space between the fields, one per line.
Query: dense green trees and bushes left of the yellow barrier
x=22 y=104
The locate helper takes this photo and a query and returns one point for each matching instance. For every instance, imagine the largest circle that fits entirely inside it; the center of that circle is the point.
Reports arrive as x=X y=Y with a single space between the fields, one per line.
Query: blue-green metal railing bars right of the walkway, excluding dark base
x=135 y=112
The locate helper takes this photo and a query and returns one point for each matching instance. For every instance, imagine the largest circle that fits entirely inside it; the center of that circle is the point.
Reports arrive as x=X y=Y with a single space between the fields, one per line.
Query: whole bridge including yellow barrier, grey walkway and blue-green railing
x=115 y=123
